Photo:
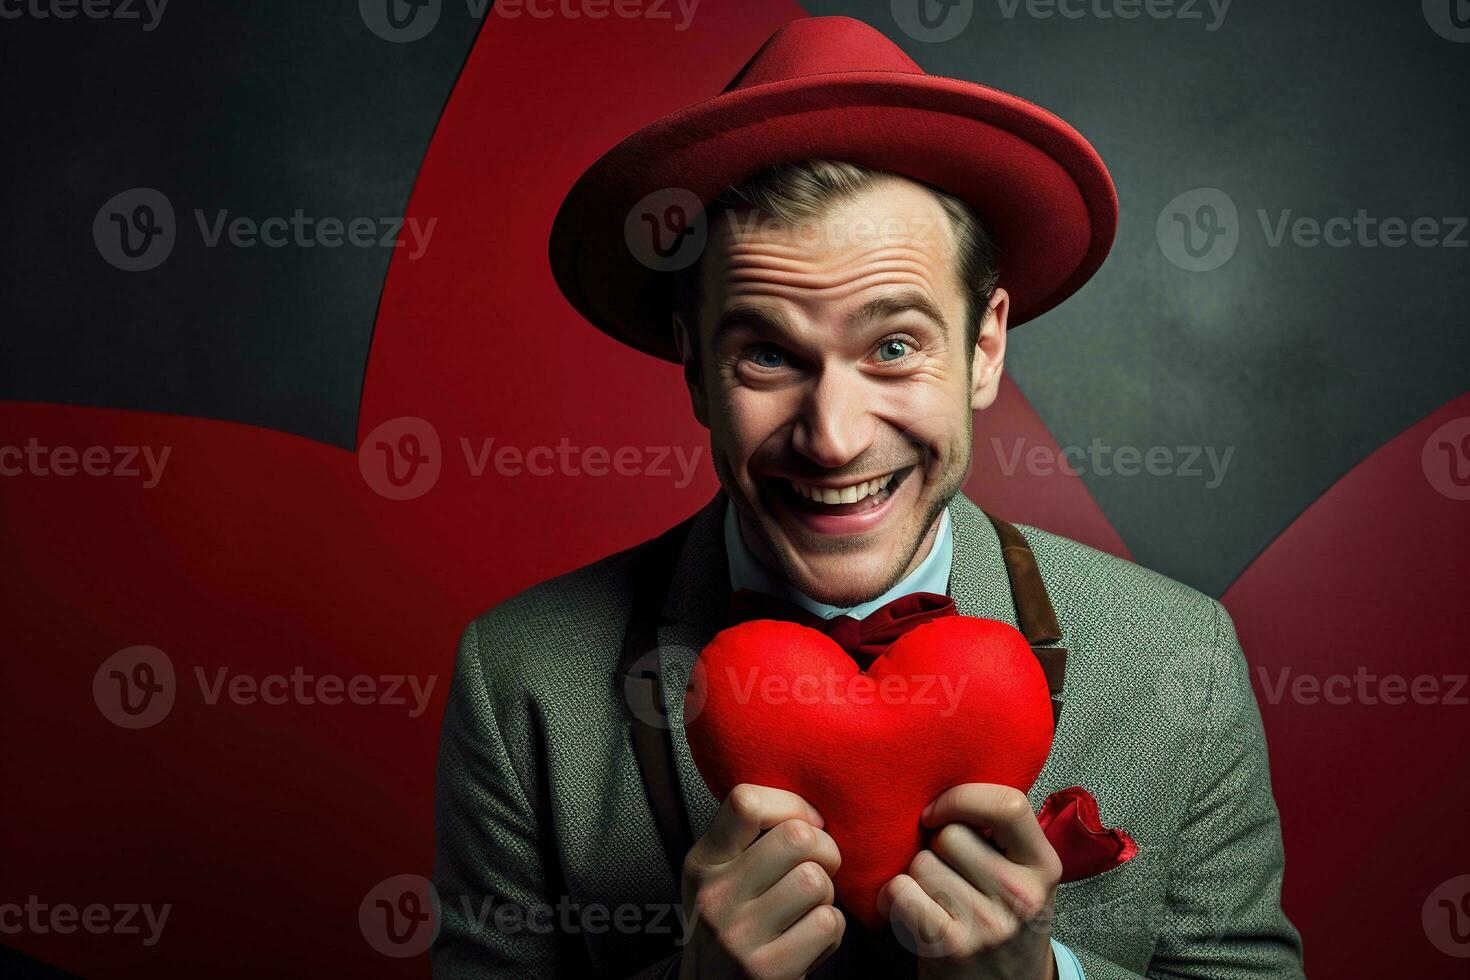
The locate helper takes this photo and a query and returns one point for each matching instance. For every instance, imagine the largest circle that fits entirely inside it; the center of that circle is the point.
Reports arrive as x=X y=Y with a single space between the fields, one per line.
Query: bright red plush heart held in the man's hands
x=958 y=700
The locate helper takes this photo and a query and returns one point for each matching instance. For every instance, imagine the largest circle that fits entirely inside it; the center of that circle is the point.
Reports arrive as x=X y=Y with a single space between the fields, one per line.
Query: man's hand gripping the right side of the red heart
x=974 y=907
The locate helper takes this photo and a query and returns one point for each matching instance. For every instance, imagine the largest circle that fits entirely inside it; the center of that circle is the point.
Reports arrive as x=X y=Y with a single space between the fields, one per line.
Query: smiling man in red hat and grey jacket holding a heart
x=871 y=236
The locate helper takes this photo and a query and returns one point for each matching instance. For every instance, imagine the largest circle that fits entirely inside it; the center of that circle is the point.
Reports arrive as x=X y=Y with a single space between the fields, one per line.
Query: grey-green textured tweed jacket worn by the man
x=549 y=863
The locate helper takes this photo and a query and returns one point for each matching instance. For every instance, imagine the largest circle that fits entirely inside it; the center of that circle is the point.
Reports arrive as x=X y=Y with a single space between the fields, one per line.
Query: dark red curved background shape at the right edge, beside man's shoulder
x=1371 y=578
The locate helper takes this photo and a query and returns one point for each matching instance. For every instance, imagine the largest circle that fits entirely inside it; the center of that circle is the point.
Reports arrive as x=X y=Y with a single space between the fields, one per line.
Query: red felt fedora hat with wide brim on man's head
x=831 y=89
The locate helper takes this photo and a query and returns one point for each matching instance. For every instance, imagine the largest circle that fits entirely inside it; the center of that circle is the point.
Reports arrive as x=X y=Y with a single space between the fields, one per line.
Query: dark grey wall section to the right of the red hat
x=1303 y=361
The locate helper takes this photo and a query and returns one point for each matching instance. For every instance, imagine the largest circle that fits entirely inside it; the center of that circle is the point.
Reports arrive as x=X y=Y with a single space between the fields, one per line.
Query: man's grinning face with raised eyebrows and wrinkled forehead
x=836 y=383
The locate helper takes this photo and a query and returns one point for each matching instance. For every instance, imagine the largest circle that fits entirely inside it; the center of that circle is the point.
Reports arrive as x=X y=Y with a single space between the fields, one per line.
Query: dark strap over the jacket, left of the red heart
x=645 y=696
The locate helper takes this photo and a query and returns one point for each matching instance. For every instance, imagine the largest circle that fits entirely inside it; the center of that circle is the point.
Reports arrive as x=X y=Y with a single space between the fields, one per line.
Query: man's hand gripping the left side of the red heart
x=758 y=890
